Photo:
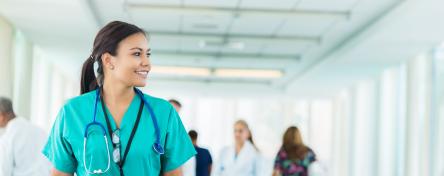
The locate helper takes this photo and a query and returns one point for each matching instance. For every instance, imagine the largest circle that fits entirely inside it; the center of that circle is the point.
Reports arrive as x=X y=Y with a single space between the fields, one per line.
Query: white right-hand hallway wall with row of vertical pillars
x=386 y=126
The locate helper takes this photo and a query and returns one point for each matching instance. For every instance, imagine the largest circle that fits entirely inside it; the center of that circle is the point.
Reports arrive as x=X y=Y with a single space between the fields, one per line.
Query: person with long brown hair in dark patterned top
x=294 y=157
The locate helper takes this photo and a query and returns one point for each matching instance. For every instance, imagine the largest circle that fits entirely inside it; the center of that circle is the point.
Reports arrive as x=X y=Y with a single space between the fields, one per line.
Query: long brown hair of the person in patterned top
x=293 y=144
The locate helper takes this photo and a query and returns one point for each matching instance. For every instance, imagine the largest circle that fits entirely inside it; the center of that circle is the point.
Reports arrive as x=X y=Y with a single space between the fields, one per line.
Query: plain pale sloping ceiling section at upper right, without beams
x=403 y=33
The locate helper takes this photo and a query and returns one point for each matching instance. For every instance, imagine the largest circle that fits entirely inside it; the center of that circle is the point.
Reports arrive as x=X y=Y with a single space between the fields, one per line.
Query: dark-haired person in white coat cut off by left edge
x=20 y=145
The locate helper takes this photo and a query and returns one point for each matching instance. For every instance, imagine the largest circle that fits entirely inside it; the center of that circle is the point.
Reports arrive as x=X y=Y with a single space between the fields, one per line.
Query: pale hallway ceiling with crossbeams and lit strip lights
x=290 y=36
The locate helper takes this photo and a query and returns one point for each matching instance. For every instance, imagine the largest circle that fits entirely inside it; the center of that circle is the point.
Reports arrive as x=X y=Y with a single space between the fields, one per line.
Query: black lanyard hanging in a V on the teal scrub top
x=133 y=132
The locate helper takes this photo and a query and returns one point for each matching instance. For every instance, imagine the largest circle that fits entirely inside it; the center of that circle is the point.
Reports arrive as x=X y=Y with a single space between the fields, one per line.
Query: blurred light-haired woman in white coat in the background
x=243 y=158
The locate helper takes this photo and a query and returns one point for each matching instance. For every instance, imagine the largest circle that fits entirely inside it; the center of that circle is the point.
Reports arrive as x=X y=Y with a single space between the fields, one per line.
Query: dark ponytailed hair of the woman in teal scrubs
x=106 y=41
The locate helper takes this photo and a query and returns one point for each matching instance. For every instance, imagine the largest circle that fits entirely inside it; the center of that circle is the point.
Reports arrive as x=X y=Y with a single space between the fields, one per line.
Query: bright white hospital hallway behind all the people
x=362 y=80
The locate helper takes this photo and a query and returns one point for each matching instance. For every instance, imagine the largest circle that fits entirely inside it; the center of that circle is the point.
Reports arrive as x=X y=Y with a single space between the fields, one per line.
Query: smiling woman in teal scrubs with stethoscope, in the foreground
x=120 y=112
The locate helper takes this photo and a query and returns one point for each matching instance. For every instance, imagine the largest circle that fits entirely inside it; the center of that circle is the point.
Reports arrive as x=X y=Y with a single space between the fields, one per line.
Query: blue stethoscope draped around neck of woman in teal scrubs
x=156 y=146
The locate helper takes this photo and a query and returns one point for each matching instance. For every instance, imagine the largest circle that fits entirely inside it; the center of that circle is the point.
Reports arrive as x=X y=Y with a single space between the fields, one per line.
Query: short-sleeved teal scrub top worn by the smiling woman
x=65 y=144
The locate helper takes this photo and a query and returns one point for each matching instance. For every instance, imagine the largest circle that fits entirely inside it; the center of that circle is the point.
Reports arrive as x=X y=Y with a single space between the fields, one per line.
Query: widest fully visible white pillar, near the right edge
x=418 y=115
